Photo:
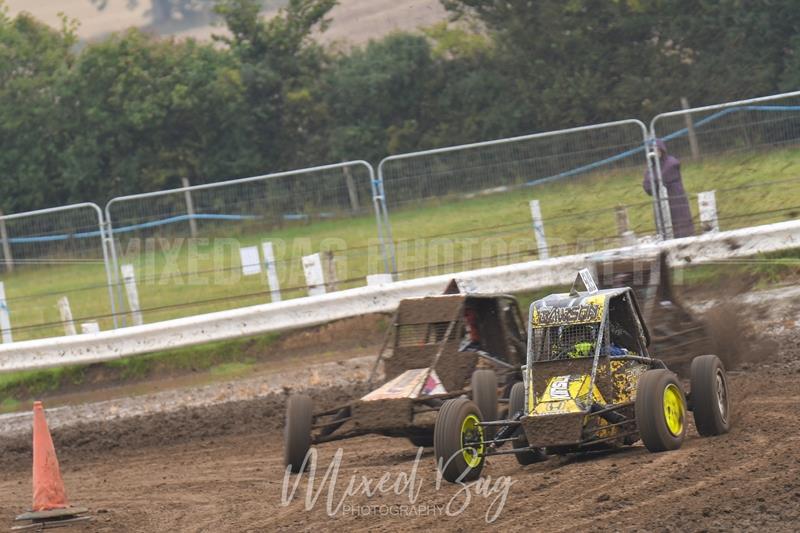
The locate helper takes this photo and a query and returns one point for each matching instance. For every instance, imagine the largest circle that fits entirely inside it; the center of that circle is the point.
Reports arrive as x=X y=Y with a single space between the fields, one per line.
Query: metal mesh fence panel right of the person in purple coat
x=735 y=148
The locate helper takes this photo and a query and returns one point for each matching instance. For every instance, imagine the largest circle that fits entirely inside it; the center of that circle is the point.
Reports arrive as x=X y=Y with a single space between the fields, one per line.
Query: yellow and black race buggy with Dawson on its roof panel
x=589 y=383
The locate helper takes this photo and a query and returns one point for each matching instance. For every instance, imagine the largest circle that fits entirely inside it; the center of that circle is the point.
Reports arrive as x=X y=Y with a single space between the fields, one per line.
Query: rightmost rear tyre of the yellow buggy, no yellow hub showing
x=710 y=400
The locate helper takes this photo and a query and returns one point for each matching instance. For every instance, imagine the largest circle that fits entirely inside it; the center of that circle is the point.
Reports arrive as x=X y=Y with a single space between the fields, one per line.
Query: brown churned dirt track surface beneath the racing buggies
x=219 y=468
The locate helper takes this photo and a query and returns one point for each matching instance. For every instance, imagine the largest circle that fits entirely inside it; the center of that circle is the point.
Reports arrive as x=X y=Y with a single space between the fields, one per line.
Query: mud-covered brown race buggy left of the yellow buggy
x=437 y=348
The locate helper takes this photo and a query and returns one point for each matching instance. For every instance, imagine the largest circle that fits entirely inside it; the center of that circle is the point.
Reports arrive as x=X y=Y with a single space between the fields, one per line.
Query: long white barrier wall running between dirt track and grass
x=314 y=310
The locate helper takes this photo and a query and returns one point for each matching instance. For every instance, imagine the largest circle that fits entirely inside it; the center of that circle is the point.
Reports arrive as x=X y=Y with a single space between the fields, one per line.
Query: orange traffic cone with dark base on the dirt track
x=50 y=506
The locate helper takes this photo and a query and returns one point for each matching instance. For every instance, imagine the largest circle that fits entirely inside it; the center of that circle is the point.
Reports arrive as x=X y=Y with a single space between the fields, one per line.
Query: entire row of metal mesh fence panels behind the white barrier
x=453 y=209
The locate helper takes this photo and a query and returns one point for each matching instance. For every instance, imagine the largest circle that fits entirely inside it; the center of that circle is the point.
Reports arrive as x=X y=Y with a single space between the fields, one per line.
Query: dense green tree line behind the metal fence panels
x=133 y=112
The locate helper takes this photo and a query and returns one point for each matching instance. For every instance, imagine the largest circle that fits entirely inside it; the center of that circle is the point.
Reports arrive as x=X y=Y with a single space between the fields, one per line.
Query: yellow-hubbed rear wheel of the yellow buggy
x=660 y=411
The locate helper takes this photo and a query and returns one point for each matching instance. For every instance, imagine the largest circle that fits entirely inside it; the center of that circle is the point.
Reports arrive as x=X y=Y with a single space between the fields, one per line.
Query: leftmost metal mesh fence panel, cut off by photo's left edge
x=55 y=272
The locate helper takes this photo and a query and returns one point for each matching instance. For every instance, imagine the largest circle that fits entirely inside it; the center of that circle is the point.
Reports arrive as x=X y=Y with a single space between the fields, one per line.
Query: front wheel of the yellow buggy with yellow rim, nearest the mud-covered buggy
x=456 y=439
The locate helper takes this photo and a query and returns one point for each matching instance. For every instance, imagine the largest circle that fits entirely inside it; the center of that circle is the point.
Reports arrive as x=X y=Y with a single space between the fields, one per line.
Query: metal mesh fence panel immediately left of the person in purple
x=488 y=186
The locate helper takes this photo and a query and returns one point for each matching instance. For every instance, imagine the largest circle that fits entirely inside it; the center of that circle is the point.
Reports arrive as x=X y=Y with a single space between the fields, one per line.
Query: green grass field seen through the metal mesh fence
x=182 y=278
